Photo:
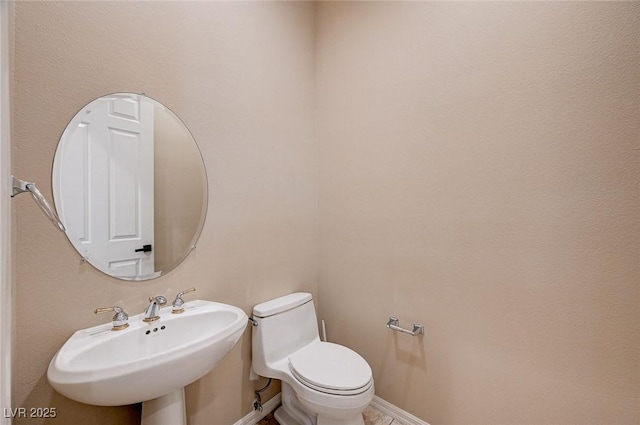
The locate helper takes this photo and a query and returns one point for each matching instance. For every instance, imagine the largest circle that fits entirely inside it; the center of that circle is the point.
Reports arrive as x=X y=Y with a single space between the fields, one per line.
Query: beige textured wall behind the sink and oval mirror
x=240 y=75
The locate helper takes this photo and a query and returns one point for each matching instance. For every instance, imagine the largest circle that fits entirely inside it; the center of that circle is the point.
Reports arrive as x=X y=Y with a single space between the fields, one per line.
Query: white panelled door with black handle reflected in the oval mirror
x=109 y=185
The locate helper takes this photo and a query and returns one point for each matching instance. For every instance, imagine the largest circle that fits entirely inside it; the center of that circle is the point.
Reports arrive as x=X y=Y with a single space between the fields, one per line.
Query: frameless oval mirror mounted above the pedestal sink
x=130 y=186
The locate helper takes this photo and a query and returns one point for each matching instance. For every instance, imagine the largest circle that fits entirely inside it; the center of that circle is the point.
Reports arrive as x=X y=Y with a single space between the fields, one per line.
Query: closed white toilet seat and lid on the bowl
x=331 y=368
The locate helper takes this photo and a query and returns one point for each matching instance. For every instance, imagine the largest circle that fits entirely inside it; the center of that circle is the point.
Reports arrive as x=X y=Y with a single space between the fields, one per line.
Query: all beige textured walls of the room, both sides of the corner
x=479 y=174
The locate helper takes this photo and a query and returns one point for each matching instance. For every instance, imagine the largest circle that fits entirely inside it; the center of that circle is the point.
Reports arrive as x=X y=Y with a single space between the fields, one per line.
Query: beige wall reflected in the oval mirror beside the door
x=179 y=184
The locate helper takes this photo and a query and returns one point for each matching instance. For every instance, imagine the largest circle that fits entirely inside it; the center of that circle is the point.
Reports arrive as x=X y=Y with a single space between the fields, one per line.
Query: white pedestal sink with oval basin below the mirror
x=147 y=362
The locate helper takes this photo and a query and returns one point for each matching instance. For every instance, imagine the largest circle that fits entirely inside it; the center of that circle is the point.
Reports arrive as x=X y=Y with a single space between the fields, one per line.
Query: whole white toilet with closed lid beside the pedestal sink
x=322 y=383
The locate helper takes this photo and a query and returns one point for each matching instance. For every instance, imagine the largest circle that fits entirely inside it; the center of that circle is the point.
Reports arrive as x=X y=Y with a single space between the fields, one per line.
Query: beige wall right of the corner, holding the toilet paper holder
x=479 y=173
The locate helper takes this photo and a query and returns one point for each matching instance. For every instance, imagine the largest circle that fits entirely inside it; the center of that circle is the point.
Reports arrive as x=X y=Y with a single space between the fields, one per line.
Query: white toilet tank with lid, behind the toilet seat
x=284 y=325
